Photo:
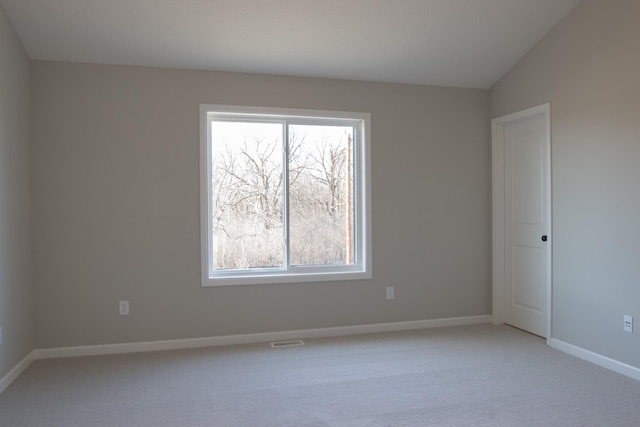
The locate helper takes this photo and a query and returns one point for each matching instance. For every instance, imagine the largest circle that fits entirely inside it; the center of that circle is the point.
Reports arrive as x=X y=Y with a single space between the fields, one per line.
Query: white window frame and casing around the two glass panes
x=362 y=265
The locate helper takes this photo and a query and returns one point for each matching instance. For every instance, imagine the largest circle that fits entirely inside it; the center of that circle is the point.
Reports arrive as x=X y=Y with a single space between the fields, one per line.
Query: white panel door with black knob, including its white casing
x=522 y=252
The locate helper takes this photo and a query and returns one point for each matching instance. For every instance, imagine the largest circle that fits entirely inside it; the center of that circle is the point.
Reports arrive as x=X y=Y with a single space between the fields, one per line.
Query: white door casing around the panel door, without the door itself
x=498 y=210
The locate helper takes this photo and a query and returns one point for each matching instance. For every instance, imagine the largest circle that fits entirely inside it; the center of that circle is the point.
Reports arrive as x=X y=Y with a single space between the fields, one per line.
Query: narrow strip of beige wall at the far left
x=15 y=236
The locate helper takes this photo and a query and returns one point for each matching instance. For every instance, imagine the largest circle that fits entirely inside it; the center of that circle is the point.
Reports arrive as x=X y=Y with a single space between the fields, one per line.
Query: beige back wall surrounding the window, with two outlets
x=116 y=205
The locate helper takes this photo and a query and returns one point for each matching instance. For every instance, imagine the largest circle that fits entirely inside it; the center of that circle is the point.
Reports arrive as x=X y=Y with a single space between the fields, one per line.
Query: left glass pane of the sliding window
x=246 y=190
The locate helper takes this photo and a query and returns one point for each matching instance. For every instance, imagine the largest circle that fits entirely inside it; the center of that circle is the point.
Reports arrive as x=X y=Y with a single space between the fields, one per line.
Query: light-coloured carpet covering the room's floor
x=481 y=375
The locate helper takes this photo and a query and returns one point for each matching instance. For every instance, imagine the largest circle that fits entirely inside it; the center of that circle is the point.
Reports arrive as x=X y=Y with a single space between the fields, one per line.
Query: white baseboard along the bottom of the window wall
x=96 y=350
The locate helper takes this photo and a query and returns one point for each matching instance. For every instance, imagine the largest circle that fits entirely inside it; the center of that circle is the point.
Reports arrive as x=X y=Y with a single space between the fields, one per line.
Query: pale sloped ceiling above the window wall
x=460 y=43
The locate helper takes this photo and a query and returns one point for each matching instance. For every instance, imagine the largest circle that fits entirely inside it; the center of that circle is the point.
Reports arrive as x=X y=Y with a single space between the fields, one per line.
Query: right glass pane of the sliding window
x=320 y=195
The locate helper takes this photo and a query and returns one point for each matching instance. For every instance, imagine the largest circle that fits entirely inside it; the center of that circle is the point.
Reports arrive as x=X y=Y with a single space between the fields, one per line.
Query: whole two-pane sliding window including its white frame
x=284 y=195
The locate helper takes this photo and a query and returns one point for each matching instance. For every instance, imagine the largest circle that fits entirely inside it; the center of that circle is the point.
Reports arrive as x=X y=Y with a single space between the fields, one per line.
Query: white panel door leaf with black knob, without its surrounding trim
x=526 y=225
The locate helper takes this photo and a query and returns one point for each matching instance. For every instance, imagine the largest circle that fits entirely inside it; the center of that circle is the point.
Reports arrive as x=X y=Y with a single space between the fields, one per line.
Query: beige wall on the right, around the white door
x=589 y=69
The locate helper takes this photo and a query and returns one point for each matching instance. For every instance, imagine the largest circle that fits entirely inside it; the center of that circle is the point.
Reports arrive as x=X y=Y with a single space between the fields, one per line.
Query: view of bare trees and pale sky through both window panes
x=250 y=161
